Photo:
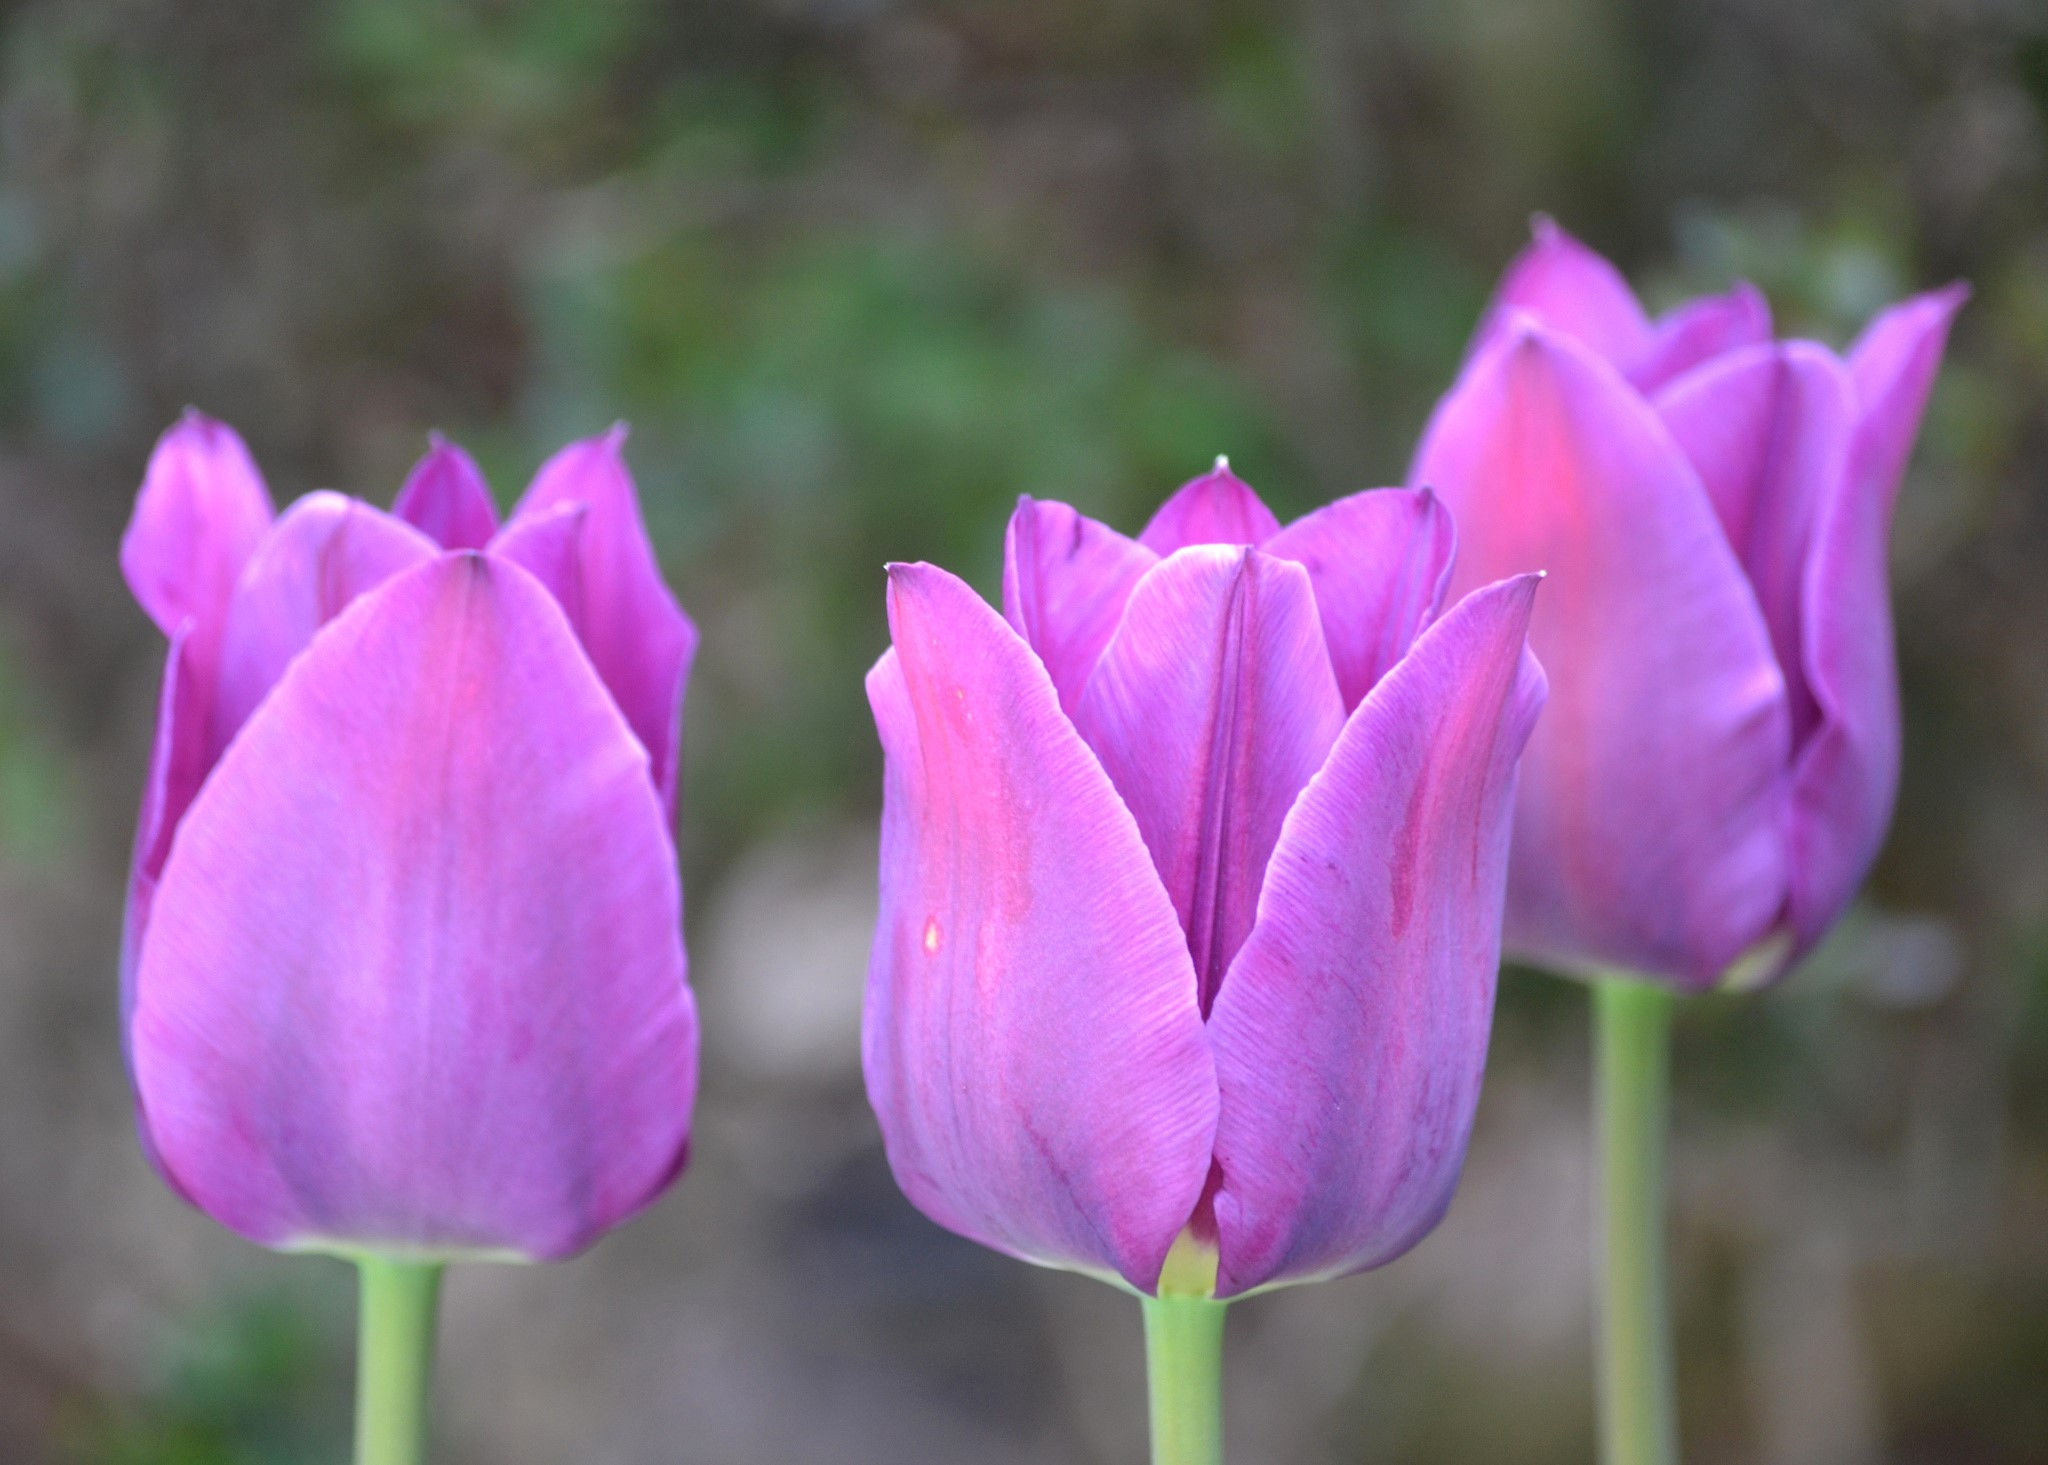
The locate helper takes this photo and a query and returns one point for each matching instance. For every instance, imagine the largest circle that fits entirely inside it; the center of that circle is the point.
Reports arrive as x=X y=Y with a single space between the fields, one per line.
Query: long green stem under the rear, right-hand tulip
x=1633 y=1110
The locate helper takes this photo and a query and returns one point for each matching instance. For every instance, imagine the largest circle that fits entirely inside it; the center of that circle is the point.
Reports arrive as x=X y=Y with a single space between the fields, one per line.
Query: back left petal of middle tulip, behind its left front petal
x=1066 y=581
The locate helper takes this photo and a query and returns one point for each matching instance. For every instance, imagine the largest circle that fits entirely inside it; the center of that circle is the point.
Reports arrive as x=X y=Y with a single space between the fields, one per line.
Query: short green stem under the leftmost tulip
x=394 y=1359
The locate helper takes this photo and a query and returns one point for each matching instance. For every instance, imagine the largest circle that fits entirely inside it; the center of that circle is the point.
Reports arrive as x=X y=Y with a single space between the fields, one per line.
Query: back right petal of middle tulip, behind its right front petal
x=1381 y=564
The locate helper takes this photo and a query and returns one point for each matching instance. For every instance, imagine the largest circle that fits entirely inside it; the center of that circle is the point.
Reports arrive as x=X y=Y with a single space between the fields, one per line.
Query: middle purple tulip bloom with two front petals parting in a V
x=1191 y=884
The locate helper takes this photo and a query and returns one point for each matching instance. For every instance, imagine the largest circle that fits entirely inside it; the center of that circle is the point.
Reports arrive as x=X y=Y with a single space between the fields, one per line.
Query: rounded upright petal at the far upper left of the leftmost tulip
x=202 y=511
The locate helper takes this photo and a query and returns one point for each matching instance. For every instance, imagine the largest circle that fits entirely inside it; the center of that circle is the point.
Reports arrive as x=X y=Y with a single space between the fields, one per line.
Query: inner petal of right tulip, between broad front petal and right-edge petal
x=1768 y=429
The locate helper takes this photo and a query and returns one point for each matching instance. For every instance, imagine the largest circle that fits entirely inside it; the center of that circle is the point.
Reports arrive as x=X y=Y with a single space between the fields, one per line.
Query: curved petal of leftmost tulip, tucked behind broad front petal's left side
x=321 y=556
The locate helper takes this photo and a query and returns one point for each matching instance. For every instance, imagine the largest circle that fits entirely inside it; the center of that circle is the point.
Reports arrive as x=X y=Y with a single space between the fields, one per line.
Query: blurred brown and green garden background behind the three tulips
x=859 y=274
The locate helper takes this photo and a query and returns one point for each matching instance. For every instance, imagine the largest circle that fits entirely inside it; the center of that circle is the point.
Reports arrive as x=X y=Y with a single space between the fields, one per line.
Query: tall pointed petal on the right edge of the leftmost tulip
x=632 y=626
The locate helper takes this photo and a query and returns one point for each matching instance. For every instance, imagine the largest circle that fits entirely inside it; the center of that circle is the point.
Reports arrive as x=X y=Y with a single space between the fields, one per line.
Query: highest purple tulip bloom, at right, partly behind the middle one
x=1719 y=761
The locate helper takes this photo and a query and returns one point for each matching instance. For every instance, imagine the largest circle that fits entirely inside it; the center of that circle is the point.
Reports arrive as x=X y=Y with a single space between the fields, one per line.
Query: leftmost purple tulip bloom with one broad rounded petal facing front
x=402 y=962
